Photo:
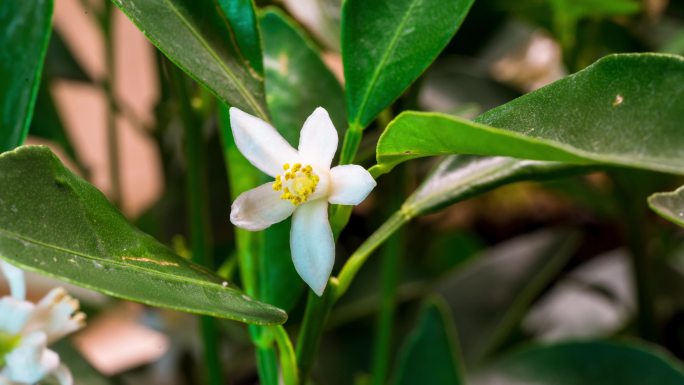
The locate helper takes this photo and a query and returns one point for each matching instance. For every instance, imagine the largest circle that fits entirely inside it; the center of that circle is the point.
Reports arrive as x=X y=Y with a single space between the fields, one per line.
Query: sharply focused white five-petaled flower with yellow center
x=304 y=185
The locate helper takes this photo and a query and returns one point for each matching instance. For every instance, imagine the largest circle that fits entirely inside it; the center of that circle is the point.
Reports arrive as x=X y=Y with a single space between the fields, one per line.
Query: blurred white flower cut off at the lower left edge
x=26 y=329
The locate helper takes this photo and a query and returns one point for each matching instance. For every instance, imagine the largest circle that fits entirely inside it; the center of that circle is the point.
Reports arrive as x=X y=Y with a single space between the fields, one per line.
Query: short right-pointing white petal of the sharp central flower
x=350 y=184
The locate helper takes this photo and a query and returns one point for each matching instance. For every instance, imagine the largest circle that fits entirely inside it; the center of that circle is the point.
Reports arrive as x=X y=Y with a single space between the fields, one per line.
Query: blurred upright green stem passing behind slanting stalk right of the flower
x=391 y=259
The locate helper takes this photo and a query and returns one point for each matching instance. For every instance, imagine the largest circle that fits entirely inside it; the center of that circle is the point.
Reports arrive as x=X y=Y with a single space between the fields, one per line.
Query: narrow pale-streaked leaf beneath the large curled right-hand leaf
x=459 y=177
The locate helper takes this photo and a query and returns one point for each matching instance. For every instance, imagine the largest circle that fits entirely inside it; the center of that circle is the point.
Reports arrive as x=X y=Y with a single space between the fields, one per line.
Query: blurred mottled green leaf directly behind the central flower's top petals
x=297 y=80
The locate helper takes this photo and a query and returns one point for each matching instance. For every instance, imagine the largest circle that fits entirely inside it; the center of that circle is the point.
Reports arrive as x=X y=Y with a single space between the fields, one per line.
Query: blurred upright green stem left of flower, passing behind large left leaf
x=200 y=232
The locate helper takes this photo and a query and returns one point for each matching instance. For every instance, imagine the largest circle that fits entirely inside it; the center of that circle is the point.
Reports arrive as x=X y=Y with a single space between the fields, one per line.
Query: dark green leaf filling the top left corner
x=24 y=34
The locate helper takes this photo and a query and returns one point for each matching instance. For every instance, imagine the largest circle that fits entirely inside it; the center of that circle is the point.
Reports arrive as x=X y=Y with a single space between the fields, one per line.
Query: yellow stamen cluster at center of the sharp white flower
x=297 y=183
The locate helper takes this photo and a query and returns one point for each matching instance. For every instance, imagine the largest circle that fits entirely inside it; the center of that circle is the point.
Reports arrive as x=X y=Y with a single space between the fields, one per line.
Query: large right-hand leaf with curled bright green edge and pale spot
x=623 y=110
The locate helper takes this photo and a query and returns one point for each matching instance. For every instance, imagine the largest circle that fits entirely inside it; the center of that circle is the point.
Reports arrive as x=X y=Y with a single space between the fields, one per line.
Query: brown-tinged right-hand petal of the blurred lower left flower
x=56 y=315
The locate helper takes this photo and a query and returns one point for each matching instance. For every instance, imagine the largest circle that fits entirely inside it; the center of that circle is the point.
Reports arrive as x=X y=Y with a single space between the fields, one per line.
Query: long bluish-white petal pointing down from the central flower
x=313 y=248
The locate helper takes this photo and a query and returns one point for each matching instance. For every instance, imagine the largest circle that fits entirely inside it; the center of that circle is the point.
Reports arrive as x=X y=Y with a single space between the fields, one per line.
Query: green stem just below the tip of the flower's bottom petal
x=317 y=311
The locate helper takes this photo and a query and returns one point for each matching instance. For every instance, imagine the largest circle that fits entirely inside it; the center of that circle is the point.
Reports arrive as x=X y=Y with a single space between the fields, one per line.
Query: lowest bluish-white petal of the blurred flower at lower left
x=31 y=361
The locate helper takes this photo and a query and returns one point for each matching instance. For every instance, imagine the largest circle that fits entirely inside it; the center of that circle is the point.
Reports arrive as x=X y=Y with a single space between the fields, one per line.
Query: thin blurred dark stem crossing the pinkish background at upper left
x=112 y=135
